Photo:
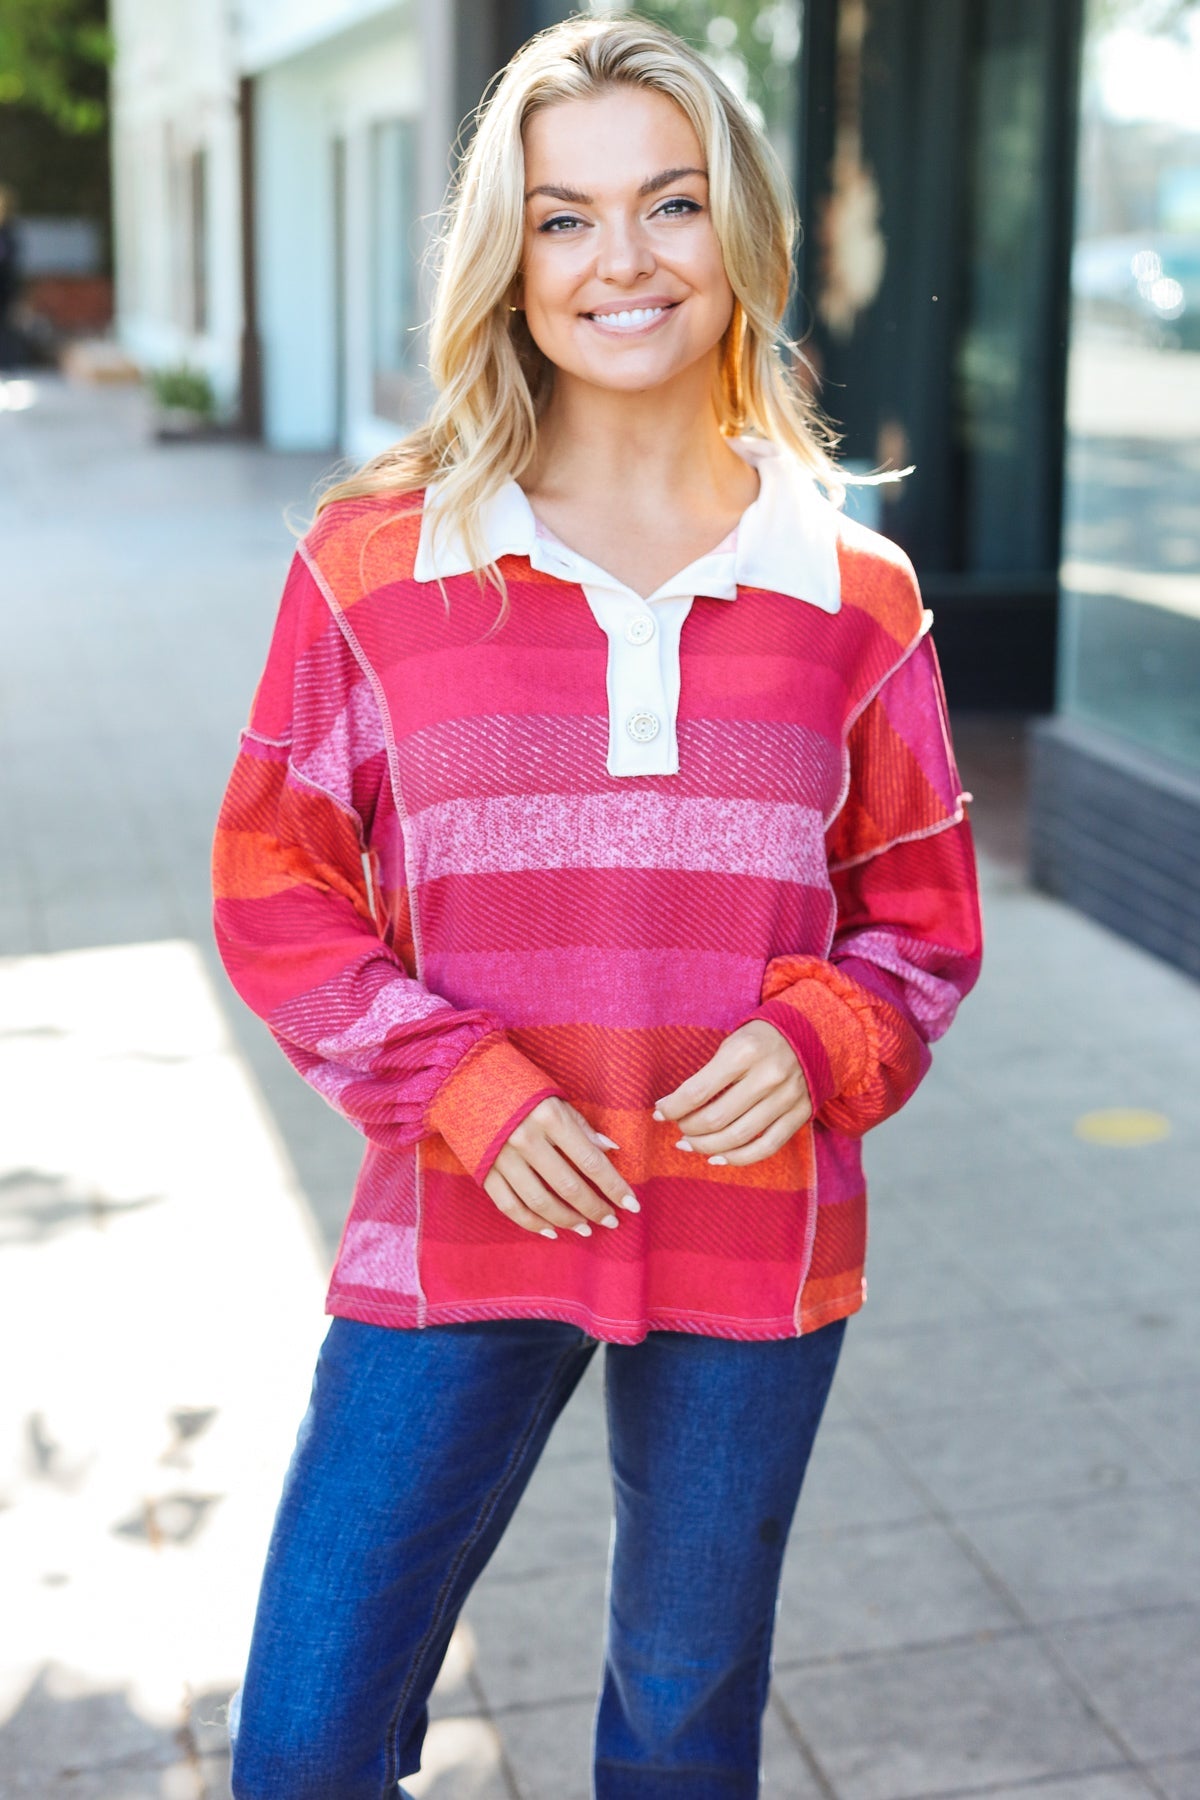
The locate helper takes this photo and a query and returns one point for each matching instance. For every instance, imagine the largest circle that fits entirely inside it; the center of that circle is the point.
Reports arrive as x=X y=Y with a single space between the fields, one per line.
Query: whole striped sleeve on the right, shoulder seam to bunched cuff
x=908 y=940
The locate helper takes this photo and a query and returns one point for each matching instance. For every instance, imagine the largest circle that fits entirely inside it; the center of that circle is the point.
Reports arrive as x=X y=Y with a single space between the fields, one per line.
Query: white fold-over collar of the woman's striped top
x=787 y=539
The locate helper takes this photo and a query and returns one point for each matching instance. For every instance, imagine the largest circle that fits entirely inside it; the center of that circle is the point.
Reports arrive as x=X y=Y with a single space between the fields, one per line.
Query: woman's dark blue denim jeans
x=409 y=1466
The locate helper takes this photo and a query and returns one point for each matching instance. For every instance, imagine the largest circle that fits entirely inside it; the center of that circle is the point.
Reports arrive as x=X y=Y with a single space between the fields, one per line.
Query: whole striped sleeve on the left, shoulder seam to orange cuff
x=303 y=930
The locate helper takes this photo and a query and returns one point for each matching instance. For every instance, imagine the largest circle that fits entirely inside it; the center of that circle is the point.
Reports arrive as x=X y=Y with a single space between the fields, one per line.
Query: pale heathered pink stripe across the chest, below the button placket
x=620 y=831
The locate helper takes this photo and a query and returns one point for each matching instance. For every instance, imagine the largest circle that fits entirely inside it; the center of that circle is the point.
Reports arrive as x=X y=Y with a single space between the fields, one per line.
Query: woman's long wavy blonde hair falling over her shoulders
x=492 y=382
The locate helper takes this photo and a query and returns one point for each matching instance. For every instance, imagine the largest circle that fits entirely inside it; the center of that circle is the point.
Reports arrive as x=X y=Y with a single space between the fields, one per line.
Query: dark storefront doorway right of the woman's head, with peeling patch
x=940 y=141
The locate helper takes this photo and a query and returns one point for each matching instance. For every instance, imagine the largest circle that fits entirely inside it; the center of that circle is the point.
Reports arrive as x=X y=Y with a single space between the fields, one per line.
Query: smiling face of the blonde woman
x=623 y=282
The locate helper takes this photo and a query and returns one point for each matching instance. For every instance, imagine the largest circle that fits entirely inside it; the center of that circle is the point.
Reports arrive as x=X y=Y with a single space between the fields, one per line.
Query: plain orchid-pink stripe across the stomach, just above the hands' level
x=622 y=989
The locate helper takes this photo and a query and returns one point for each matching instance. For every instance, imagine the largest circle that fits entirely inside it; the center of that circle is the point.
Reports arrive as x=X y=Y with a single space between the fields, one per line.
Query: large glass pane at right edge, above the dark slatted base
x=1131 y=652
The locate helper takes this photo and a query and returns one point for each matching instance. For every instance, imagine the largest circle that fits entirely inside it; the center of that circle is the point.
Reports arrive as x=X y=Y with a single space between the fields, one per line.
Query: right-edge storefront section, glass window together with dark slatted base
x=1116 y=791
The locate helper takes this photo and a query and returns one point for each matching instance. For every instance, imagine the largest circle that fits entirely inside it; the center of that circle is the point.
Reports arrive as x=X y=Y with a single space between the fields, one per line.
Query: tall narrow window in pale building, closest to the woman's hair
x=395 y=294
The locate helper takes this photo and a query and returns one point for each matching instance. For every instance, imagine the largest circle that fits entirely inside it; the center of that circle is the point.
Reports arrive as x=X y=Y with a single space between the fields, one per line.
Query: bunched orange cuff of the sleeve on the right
x=827 y=1020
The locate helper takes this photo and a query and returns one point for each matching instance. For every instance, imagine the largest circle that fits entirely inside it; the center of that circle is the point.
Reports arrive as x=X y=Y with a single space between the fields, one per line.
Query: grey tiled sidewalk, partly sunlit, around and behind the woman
x=994 y=1581
